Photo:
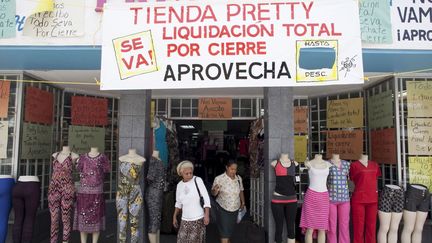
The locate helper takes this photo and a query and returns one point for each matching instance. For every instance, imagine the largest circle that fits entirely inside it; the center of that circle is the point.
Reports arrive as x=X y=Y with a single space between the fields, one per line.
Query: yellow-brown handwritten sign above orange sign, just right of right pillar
x=345 y=113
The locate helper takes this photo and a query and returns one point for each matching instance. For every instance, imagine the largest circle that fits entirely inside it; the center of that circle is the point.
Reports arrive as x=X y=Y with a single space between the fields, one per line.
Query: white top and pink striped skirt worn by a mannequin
x=316 y=205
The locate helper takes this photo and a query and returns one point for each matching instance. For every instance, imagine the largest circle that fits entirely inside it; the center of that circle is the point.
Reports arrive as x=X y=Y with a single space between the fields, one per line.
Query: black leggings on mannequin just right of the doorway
x=287 y=212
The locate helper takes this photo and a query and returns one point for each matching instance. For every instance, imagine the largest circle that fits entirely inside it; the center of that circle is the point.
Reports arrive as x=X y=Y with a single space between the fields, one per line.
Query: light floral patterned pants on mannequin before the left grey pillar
x=129 y=200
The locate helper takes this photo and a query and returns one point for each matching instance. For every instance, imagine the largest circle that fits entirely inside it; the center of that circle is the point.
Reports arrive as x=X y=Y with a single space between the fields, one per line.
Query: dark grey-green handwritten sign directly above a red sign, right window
x=380 y=110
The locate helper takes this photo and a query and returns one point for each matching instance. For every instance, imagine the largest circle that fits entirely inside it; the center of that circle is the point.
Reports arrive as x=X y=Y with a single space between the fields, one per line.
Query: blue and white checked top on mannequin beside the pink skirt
x=337 y=182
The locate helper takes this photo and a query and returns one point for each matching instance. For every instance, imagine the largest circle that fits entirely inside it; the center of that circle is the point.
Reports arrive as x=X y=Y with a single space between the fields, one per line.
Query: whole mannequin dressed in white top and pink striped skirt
x=315 y=210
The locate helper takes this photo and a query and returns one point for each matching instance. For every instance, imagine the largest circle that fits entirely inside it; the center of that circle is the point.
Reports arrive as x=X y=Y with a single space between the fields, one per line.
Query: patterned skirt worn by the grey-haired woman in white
x=191 y=232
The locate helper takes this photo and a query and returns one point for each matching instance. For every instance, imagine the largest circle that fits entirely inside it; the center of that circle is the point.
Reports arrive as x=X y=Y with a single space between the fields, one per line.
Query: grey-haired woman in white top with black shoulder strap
x=194 y=216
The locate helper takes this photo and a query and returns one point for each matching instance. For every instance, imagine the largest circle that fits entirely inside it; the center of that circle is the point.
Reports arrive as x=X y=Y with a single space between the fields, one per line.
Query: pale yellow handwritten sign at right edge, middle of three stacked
x=419 y=136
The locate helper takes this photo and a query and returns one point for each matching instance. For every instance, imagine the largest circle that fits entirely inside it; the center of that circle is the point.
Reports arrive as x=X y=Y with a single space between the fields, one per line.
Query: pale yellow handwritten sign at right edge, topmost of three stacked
x=419 y=98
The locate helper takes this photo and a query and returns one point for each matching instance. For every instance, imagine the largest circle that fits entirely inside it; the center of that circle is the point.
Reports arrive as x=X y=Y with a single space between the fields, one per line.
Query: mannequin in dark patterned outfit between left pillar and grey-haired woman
x=155 y=185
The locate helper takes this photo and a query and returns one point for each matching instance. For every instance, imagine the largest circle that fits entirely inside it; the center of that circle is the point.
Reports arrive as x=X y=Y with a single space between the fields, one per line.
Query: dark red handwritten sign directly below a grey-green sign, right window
x=383 y=146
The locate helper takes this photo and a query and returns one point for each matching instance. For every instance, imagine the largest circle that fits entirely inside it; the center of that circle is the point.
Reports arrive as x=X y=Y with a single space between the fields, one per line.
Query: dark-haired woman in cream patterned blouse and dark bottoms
x=228 y=189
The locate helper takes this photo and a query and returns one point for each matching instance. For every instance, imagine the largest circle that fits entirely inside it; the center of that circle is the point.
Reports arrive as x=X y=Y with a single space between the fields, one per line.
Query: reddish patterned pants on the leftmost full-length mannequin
x=61 y=198
